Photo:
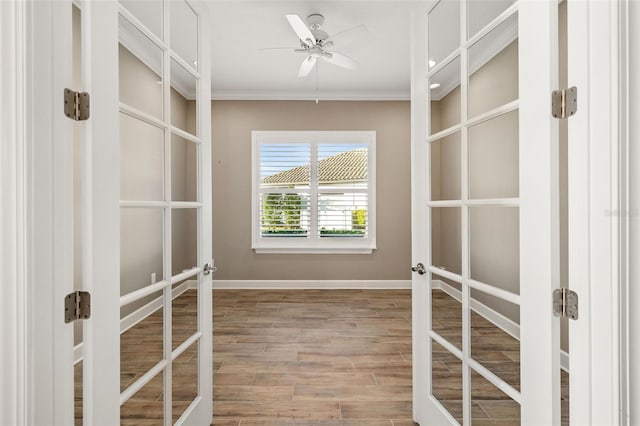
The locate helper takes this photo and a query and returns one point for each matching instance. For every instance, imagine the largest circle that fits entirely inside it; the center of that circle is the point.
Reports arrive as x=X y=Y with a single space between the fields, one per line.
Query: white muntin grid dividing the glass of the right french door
x=464 y=204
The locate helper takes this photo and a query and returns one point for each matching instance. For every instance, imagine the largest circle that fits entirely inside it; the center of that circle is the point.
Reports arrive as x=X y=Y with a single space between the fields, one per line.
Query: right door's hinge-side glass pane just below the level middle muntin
x=495 y=246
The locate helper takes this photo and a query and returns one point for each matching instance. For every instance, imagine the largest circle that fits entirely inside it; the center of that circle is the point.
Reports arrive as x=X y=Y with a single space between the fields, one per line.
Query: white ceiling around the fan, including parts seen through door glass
x=240 y=30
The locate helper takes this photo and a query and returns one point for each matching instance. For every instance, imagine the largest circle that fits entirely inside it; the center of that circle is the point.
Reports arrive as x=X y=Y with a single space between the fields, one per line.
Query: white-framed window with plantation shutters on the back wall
x=313 y=192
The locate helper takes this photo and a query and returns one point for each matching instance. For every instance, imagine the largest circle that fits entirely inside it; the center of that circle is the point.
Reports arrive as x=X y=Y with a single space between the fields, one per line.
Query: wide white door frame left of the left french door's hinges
x=36 y=196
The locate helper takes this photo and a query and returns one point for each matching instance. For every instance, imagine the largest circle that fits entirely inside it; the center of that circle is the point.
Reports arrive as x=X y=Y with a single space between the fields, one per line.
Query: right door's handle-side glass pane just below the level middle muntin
x=446 y=239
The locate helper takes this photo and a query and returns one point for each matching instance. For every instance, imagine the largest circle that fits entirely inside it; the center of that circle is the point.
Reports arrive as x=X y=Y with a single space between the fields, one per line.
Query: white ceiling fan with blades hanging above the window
x=316 y=43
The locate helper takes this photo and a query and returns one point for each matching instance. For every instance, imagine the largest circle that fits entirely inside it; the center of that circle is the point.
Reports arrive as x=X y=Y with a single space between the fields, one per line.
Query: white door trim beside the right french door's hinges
x=594 y=211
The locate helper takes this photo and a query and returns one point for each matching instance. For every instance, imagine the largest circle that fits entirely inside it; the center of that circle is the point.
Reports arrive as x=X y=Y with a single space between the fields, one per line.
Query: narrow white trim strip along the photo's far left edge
x=13 y=226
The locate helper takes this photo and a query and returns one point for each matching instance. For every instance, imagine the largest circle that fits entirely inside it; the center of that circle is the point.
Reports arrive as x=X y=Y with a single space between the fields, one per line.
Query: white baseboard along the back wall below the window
x=311 y=284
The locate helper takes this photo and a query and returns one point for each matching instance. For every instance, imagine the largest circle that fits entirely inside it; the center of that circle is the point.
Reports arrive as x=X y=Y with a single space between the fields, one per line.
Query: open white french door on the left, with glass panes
x=146 y=212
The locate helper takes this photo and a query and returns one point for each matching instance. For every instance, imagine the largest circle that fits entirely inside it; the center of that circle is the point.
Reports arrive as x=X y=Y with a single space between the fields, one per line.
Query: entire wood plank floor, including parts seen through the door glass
x=318 y=357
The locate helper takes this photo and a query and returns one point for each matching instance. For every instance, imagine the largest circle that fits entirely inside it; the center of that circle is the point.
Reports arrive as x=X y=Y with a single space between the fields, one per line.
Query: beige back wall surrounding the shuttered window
x=232 y=123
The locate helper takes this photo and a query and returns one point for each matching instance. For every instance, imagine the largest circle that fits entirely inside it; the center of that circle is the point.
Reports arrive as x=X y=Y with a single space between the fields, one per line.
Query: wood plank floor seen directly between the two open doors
x=332 y=357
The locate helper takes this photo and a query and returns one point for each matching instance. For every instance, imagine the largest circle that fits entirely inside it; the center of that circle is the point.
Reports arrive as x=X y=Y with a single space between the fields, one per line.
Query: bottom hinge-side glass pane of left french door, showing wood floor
x=146 y=407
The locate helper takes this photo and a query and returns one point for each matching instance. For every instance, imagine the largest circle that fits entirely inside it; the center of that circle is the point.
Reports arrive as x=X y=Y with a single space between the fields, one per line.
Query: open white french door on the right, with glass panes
x=485 y=213
